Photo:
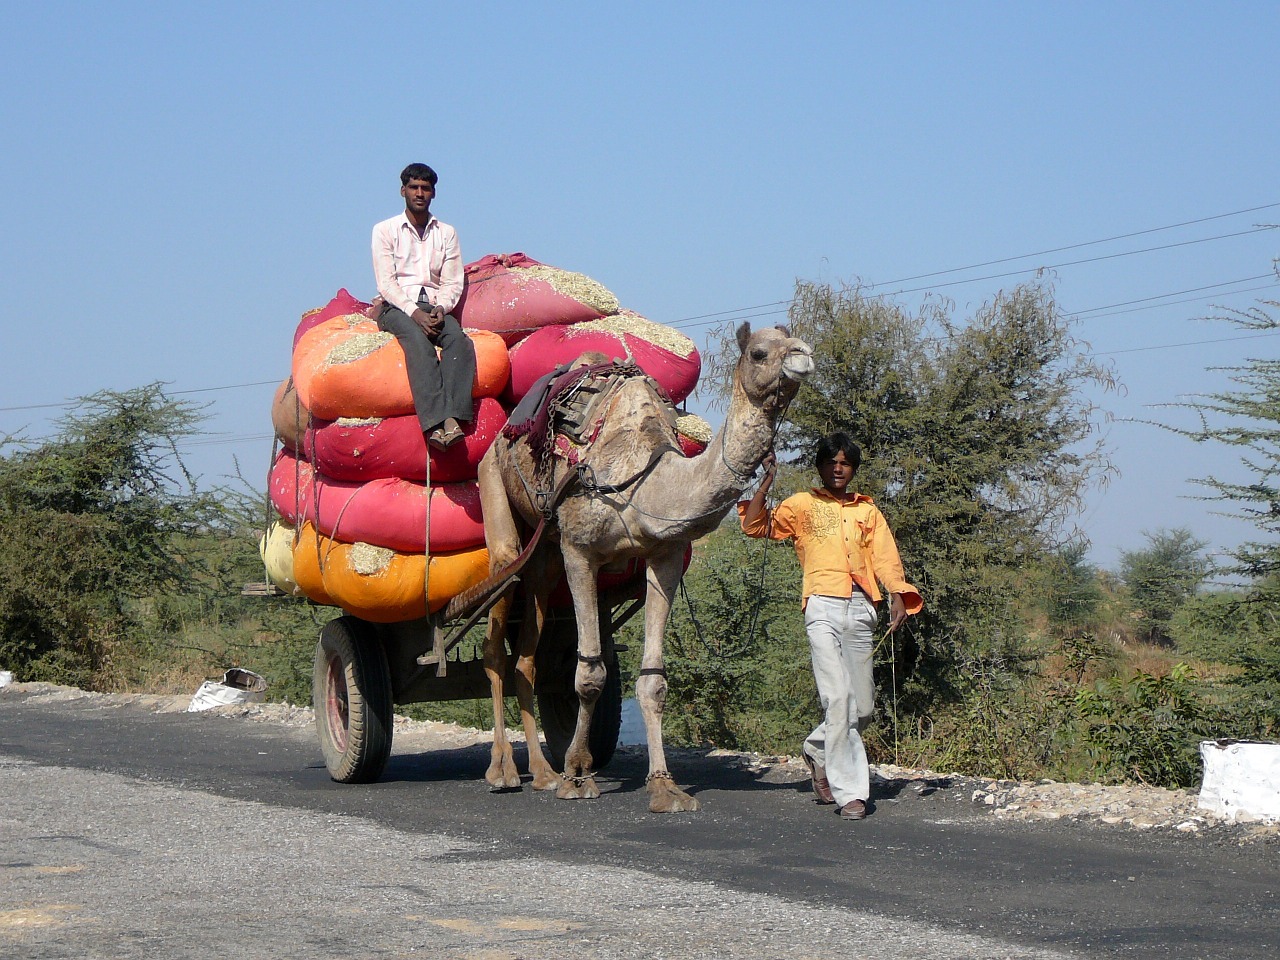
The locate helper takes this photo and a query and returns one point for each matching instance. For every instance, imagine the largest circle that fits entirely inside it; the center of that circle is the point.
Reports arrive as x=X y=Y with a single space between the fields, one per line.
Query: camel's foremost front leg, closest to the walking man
x=664 y=580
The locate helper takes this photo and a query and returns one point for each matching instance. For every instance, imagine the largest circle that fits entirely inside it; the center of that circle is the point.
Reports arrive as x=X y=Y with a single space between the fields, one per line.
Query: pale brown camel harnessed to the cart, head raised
x=668 y=502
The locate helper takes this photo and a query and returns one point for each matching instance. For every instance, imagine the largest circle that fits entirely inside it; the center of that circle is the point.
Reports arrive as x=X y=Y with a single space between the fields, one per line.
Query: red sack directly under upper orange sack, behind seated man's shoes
x=374 y=449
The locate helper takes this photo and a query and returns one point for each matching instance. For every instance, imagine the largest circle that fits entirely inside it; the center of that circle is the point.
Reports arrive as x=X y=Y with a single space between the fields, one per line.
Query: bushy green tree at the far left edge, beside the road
x=89 y=524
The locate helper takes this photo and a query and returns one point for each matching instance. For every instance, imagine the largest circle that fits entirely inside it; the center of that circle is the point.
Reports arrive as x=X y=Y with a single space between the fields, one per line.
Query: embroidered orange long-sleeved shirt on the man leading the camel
x=839 y=545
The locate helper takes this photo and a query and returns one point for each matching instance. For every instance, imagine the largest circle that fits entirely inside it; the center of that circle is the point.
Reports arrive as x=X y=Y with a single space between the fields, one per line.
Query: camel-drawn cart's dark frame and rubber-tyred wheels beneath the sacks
x=364 y=670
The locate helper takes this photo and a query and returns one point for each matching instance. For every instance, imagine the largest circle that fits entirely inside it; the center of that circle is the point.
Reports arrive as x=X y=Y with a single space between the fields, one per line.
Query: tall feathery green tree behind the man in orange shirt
x=979 y=445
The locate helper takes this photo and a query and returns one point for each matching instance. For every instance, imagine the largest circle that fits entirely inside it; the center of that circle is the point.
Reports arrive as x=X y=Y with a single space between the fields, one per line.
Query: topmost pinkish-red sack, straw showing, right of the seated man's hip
x=514 y=295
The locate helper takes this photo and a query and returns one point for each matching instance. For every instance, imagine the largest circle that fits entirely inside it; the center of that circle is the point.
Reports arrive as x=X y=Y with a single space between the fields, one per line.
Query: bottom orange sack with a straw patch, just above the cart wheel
x=378 y=584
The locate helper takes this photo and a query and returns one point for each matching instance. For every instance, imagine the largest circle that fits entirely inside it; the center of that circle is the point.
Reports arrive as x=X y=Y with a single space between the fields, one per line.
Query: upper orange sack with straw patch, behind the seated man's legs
x=348 y=368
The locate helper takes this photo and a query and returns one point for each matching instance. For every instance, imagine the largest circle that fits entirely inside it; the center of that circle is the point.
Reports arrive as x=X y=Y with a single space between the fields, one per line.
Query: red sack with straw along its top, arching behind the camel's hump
x=664 y=353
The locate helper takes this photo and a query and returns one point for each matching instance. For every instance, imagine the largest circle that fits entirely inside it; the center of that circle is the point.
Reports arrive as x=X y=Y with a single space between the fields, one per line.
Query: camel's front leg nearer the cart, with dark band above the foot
x=588 y=679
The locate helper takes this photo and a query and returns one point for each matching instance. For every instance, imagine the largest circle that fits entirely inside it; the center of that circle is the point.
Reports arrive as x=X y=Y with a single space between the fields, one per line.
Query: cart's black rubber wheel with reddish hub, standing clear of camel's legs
x=351 y=691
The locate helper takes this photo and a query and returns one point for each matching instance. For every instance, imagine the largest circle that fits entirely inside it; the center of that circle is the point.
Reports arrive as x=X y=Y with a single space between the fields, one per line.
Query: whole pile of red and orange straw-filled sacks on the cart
x=373 y=519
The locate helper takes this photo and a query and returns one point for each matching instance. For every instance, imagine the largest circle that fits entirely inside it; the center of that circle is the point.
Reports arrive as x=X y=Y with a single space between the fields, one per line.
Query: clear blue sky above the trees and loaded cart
x=184 y=181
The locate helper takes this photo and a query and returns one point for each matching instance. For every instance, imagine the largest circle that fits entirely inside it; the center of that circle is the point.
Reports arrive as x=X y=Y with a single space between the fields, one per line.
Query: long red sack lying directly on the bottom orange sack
x=388 y=513
